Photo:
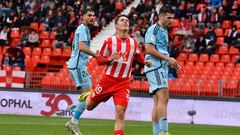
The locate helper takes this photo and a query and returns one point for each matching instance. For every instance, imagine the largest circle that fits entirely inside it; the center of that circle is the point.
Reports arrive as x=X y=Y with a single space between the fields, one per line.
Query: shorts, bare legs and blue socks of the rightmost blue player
x=158 y=81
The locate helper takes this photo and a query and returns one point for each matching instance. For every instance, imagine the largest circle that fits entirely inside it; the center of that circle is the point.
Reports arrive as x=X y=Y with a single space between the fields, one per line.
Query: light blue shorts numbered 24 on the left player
x=81 y=78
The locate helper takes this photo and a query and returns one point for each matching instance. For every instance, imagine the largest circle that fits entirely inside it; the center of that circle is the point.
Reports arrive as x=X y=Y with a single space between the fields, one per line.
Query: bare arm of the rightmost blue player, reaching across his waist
x=150 y=49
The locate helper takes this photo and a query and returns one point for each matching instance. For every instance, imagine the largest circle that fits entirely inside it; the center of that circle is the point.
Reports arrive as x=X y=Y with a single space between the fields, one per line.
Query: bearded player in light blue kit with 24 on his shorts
x=77 y=65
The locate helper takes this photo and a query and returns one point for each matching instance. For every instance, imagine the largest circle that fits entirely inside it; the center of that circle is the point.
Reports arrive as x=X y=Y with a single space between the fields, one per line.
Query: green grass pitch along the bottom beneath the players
x=33 y=125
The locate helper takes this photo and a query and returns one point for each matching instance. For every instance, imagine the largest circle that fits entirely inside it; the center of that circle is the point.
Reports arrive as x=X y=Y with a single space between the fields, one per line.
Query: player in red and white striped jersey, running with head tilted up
x=117 y=53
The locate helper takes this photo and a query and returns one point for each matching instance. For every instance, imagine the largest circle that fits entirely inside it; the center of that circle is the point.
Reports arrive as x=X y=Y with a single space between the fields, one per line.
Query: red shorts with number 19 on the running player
x=109 y=87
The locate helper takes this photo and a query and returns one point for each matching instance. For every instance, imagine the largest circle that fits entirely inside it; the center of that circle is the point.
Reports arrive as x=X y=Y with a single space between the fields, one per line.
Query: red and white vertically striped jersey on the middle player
x=122 y=67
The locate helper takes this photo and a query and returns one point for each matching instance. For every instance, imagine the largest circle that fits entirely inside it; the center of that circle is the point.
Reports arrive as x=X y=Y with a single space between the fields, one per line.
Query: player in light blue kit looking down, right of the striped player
x=157 y=51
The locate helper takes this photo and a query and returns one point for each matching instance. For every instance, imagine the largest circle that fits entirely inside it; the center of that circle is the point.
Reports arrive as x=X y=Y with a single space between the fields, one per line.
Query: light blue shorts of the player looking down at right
x=157 y=79
